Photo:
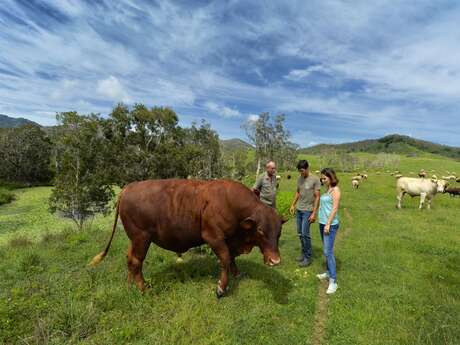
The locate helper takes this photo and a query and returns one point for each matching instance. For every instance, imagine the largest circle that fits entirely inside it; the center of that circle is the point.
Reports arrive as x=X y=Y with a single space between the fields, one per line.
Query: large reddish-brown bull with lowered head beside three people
x=180 y=214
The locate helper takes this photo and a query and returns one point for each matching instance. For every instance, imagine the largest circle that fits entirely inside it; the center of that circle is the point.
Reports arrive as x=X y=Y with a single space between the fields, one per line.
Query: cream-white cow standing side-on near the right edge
x=425 y=188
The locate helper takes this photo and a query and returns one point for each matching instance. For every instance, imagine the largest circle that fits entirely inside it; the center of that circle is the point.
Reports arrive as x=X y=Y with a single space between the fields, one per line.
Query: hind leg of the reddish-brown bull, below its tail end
x=136 y=255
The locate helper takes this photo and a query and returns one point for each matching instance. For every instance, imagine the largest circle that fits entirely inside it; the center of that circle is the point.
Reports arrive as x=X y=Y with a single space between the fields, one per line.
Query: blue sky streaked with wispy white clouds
x=339 y=70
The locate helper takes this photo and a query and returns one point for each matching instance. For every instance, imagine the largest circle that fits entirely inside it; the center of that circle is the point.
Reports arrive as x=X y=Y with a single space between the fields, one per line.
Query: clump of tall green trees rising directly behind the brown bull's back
x=148 y=143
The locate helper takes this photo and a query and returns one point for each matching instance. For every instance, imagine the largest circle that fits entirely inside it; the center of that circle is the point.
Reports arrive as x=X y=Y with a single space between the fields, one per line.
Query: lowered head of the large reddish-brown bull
x=265 y=228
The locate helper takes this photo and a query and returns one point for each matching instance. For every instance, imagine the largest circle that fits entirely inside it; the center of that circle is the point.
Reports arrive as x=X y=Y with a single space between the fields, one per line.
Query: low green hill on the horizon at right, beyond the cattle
x=393 y=143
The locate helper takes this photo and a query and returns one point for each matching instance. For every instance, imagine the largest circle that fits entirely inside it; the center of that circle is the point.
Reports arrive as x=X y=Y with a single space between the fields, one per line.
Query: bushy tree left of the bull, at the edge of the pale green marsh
x=82 y=185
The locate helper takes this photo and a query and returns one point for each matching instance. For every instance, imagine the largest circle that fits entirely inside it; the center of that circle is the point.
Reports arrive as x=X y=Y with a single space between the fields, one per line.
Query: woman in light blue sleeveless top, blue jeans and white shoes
x=329 y=224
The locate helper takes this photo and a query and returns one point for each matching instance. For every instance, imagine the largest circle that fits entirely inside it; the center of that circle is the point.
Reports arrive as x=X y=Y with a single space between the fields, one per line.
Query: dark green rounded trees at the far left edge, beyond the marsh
x=25 y=155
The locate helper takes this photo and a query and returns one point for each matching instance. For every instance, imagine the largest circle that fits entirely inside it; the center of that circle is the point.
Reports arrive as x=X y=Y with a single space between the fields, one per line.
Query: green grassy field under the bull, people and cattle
x=397 y=273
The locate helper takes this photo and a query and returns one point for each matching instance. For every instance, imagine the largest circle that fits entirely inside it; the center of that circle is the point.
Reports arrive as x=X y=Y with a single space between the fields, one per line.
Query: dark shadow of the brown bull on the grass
x=205 y=268
